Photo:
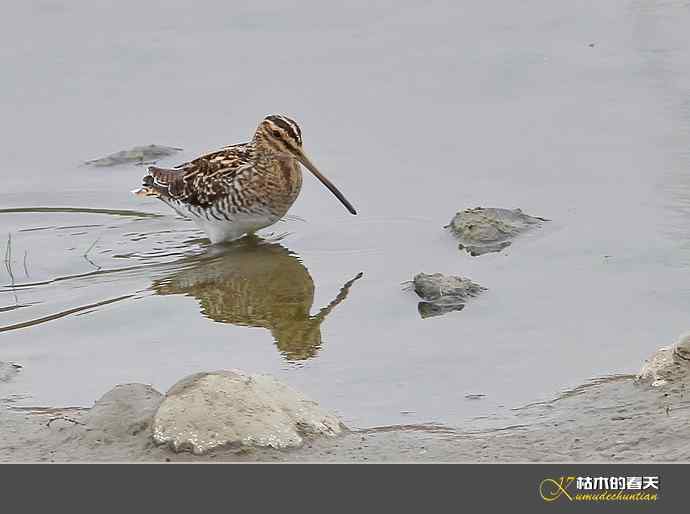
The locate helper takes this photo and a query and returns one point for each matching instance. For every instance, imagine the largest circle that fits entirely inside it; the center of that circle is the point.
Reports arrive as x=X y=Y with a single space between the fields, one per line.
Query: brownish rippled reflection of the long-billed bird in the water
x=255 y=283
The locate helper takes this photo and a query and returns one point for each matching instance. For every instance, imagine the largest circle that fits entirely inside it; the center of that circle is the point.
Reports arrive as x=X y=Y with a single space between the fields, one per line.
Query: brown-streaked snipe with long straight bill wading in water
x=241 y=188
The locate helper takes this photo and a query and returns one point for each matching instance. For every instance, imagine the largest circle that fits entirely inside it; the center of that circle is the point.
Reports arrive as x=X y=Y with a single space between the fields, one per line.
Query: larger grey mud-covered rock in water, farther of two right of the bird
x=484 y=230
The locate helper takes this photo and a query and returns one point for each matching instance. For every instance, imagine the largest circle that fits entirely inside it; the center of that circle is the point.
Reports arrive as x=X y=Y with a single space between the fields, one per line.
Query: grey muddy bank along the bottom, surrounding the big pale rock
x=612 y=419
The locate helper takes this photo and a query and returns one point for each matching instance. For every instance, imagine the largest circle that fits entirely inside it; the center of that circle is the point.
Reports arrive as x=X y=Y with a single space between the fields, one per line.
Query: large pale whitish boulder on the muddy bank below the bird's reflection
x=227 y=408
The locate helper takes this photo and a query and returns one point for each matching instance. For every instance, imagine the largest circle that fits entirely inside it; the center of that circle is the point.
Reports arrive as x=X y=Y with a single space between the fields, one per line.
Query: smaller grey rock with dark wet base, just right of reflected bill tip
x=443 y=293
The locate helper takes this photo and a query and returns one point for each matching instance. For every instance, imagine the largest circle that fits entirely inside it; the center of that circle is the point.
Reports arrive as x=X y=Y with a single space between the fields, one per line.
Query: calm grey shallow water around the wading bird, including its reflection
x=577 y=114
